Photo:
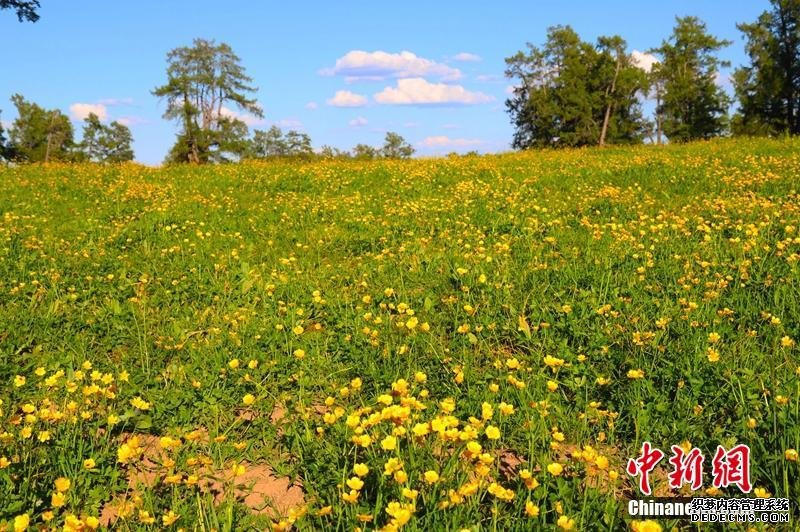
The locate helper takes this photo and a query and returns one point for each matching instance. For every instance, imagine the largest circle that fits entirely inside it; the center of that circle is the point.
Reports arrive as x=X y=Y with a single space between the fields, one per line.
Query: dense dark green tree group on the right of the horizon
x=569 y=92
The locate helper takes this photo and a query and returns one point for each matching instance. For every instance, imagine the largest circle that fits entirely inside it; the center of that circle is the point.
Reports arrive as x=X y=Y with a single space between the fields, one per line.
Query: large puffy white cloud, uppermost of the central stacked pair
x=358 y=65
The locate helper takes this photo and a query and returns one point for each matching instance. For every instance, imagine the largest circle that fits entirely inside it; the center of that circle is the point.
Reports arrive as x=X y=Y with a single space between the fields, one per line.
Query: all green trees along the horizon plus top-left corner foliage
x=567 y=92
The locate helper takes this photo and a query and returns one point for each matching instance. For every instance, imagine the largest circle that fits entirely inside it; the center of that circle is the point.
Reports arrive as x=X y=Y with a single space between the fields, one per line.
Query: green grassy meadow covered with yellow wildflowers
x=436 y=344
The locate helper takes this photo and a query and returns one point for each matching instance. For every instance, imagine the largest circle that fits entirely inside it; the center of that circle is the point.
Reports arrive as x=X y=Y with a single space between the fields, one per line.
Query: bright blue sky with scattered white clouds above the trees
x=447 y=93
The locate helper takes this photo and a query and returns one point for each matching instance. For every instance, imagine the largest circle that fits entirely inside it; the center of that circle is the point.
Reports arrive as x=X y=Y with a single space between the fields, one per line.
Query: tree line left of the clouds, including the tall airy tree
x=205 y=92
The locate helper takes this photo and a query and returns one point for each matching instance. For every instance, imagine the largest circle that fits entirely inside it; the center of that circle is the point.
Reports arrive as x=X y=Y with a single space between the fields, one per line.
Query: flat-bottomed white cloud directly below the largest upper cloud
x=417 y=91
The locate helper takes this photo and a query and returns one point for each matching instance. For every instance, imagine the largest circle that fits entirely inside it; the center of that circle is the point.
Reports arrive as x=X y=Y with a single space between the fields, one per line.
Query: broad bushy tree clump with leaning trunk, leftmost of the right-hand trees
x=571 y=93
